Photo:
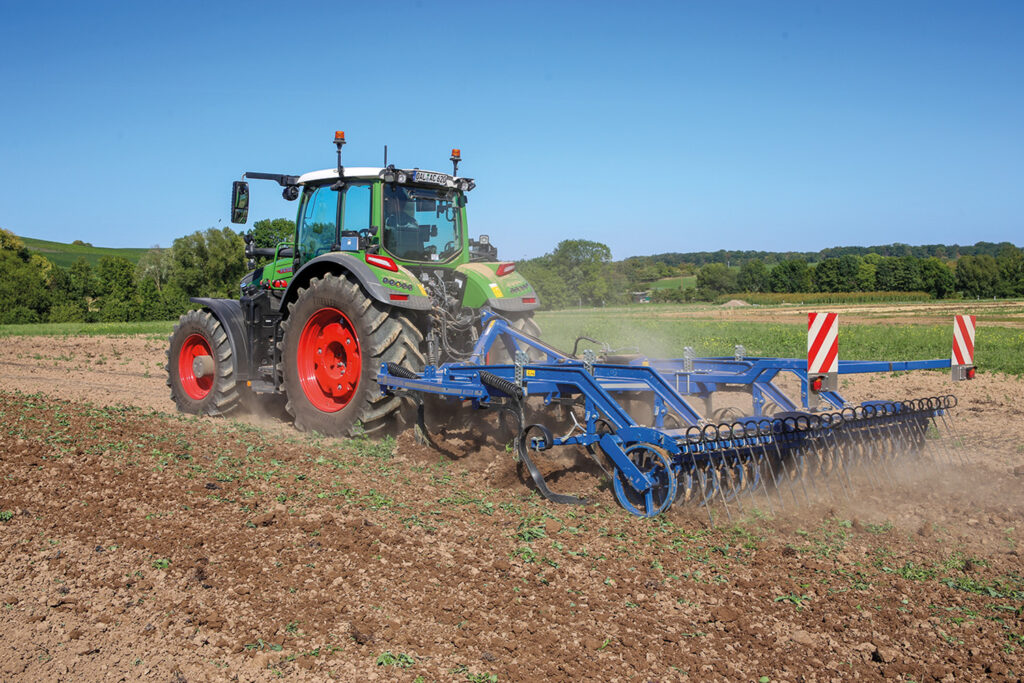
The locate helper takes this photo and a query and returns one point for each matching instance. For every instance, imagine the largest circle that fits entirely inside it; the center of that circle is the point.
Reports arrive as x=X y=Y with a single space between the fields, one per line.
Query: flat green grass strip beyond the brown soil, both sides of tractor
x=648 y=330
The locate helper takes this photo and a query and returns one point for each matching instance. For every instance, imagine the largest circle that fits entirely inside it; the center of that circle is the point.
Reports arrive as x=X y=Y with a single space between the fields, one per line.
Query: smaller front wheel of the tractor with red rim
x=219 y=393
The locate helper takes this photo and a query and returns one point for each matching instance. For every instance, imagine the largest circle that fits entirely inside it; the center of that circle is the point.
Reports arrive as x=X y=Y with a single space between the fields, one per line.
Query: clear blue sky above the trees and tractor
x=648 y=126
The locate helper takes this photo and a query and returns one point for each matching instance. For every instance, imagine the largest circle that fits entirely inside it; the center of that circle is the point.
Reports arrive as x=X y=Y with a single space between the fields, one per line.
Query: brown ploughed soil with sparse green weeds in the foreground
x=140 y=544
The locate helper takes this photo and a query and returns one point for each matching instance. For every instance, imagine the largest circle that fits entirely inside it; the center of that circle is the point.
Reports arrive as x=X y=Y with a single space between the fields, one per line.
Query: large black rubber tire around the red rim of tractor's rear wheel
x=381 y=335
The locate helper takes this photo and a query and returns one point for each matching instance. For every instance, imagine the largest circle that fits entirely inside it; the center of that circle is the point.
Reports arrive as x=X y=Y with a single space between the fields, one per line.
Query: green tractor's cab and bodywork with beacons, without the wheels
x=402 y=235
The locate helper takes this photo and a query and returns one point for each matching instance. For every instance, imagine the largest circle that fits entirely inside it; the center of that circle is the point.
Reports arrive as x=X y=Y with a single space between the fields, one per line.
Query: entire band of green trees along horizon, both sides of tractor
x=577 y=273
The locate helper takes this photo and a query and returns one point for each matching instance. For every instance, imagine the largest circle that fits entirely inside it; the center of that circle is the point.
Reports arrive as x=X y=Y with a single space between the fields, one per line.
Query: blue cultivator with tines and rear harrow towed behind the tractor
x=637 y=420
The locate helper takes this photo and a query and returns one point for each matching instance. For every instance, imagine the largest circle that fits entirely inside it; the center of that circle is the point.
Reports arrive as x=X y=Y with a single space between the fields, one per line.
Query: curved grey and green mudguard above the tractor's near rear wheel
x=372 y=280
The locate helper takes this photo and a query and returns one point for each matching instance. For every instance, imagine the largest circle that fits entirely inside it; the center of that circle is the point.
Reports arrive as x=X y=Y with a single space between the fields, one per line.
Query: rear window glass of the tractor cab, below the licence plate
x=421 y=224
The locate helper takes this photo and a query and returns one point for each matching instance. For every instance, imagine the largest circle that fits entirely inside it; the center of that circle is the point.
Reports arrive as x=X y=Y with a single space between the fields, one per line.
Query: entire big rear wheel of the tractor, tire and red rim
x=334 y=341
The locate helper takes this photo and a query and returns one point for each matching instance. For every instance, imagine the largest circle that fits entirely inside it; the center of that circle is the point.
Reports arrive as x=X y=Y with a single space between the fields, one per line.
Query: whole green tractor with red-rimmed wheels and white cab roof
x=381 y=270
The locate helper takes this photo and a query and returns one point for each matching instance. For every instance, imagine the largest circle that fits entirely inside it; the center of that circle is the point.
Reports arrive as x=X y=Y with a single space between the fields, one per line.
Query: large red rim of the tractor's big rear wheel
x=329 y=360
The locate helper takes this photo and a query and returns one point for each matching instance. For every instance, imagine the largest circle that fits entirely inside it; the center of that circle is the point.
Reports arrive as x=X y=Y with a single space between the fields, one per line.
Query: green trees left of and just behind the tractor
x=205 y=264
